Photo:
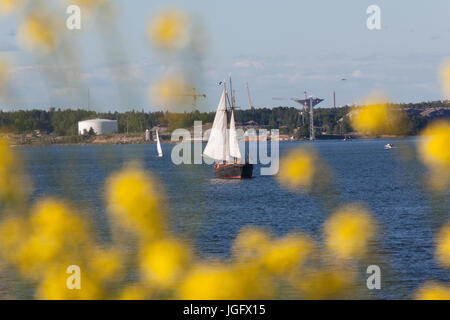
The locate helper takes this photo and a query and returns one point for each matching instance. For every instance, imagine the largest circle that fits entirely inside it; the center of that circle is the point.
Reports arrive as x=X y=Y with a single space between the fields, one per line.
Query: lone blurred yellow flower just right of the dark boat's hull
x=297 y=169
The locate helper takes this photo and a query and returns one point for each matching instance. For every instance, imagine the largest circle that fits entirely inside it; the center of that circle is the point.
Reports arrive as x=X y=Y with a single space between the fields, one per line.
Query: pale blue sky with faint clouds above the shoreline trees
x=280 y=48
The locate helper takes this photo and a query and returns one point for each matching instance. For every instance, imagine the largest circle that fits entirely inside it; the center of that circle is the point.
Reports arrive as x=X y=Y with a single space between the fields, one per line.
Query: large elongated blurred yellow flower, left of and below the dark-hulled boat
x=132 y=198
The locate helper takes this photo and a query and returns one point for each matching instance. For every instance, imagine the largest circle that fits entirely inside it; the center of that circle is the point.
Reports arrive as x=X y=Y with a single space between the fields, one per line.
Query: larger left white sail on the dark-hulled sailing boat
x=217 y=147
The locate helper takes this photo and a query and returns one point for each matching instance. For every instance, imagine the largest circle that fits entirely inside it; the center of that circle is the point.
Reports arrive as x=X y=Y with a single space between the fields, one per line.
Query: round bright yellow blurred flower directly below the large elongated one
x=163 y=261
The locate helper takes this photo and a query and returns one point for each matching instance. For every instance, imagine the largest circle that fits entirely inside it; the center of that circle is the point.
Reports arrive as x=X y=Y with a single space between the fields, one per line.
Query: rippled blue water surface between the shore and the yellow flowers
x=210 y=211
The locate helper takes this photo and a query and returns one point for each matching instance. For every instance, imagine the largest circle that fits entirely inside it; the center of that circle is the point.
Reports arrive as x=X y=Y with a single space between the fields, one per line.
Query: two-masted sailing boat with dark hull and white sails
x=223 y=144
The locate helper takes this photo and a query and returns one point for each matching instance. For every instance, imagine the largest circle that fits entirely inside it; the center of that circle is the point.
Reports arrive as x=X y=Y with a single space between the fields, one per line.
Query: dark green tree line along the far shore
x=287 y=119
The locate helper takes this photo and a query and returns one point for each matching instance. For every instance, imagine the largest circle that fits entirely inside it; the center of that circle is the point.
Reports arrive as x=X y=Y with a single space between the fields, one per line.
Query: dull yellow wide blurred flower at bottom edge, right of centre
x=326 y=284
